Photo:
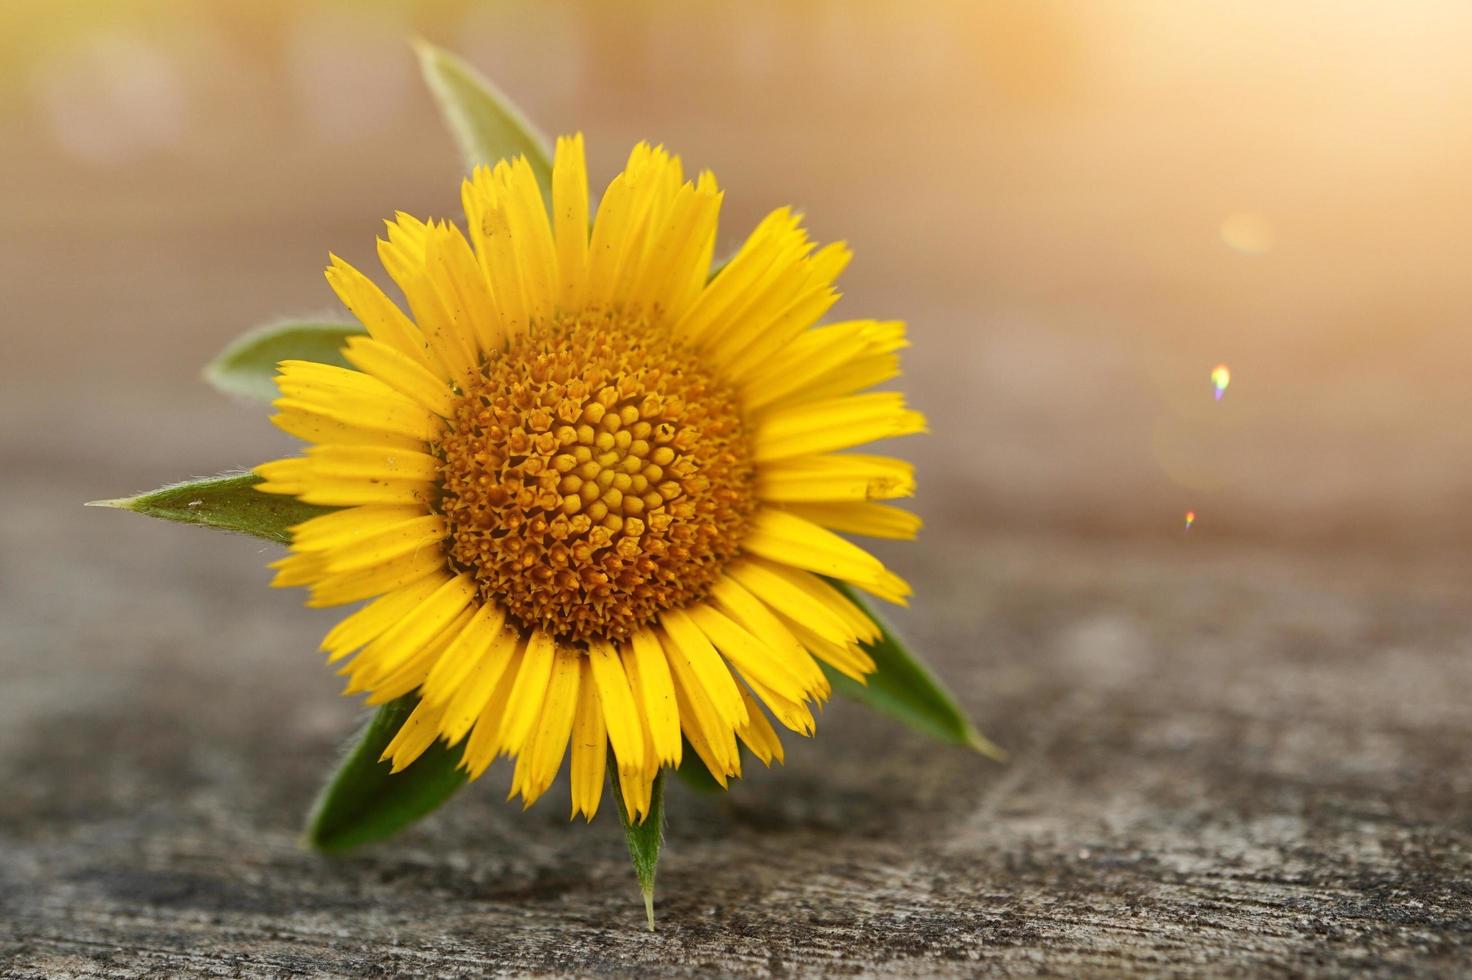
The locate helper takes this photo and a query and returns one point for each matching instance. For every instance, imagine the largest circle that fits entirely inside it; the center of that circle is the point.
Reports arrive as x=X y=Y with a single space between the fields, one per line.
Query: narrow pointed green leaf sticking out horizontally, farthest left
x=229 y=503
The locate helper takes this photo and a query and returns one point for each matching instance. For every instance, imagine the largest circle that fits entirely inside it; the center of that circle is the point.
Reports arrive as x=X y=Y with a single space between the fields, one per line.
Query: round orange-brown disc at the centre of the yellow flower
x=595 y=476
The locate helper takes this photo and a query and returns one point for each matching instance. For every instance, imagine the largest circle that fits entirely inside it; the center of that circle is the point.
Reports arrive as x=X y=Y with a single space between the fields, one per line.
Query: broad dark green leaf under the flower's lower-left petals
x=366 y=801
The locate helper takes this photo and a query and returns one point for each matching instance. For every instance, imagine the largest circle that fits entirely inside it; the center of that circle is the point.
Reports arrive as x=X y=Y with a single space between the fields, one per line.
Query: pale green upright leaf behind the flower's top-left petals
x=485 y=123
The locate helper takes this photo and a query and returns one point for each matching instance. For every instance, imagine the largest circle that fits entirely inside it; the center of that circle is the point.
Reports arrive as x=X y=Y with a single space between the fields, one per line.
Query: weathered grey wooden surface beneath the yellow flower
x=1227 y=761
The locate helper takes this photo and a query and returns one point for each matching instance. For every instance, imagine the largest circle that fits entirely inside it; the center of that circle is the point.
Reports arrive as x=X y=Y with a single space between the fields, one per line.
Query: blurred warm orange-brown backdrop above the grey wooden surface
x=1080 y=208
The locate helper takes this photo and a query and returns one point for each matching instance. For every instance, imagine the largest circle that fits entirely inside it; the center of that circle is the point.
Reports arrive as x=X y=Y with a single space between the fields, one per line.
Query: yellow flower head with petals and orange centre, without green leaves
x=590 y=489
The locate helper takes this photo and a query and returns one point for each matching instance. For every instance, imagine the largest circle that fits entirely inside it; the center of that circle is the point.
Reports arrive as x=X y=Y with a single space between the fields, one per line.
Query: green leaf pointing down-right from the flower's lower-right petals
x=905 y=688
